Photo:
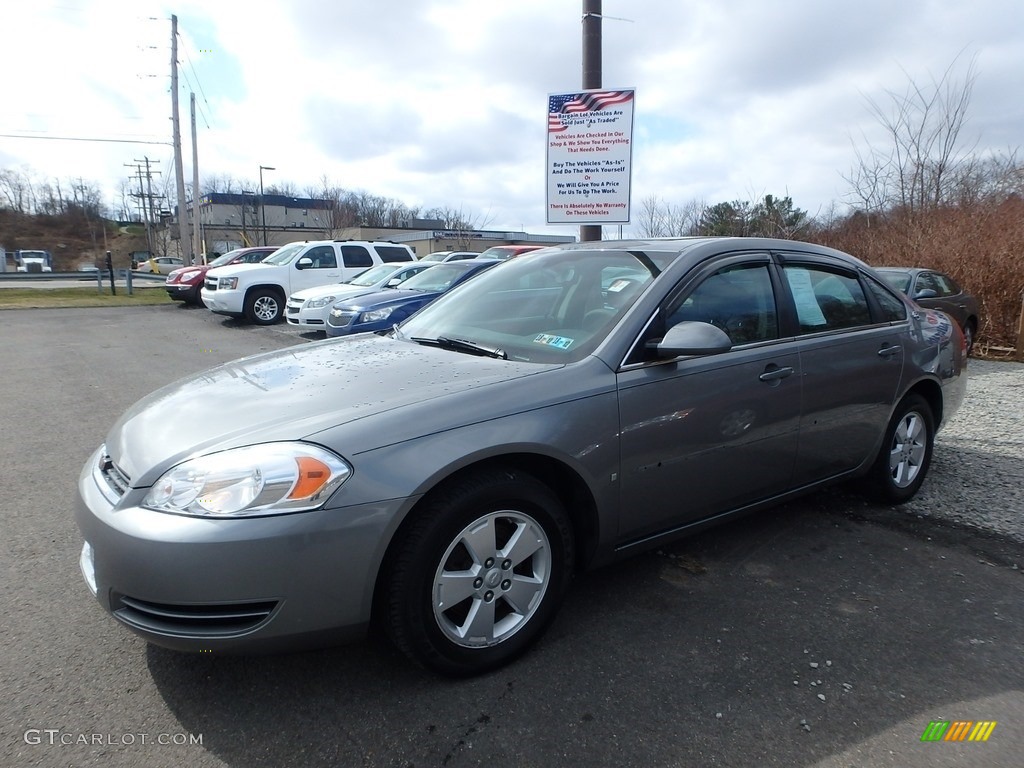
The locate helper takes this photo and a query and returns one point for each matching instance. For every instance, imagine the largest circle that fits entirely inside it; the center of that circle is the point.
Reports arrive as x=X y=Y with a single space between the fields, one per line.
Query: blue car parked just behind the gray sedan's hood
x=381 y=311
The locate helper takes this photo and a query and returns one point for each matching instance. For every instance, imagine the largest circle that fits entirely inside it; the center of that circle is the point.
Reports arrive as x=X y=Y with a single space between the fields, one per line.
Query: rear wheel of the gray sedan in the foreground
x=907 y=452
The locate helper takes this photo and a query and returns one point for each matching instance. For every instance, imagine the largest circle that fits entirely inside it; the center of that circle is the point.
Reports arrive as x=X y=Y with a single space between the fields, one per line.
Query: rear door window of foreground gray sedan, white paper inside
x=827 y=301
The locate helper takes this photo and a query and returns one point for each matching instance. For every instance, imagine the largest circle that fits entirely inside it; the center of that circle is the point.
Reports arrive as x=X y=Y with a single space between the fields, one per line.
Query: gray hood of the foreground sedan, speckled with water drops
x=291 y=395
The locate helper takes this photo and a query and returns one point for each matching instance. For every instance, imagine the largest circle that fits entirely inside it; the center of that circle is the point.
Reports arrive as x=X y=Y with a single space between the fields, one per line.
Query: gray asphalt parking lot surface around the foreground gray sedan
x=828 y=632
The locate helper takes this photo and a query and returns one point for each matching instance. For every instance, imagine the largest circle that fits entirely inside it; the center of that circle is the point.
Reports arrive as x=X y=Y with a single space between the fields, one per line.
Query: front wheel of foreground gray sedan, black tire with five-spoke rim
x=480 y=574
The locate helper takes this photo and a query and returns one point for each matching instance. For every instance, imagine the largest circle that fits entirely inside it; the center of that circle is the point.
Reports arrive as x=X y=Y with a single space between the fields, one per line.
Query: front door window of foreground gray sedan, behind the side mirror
x=737 y=300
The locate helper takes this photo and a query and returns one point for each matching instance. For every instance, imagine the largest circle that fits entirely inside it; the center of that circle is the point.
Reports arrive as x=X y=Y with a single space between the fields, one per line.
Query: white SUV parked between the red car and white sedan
x=259 y=292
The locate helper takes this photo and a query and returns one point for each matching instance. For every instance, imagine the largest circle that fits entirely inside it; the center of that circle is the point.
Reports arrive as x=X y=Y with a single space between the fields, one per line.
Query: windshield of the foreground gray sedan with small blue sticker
x=554 y=307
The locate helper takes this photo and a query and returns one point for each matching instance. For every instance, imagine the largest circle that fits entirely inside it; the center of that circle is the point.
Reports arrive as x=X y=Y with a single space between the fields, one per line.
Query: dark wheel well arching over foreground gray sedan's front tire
x=563 y=482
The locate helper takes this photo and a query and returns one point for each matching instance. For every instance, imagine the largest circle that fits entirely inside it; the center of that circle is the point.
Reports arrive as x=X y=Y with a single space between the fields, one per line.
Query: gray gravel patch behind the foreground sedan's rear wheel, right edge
x=980 y=453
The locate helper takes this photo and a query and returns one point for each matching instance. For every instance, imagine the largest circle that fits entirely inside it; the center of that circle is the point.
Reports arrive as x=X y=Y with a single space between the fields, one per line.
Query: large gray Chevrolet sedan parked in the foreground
x=564 y=410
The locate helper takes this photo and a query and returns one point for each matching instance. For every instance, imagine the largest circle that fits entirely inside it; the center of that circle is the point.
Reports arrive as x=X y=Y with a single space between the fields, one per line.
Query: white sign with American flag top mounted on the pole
x=589 y=152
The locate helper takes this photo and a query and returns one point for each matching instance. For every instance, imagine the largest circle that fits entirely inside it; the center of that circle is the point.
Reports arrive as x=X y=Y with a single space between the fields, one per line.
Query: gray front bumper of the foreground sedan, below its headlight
x=251 y=585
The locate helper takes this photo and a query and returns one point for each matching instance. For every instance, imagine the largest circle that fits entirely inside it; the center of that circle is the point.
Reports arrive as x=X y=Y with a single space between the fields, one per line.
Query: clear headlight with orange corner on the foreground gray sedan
x=270 y=480
